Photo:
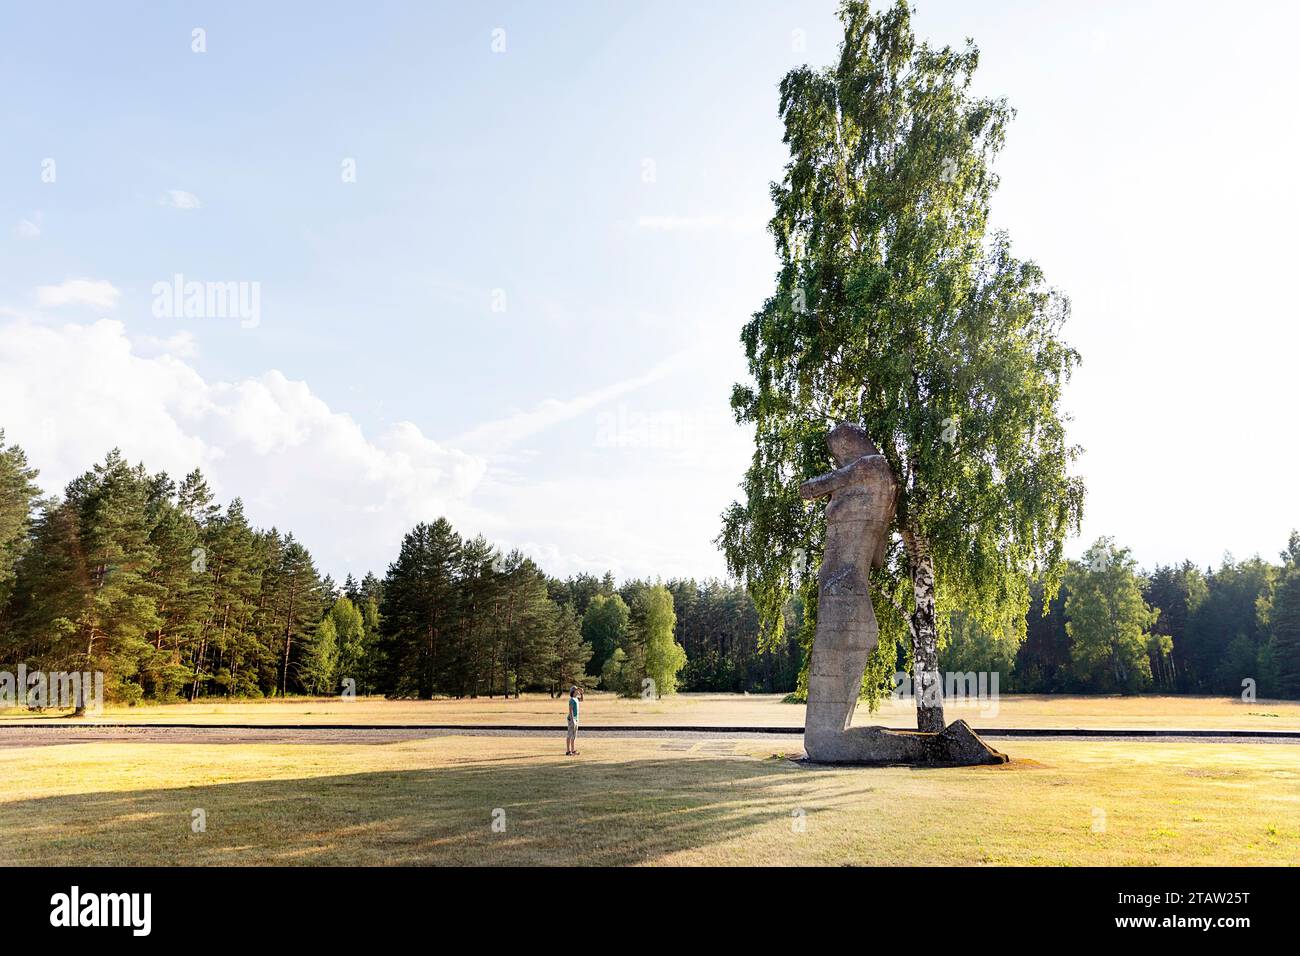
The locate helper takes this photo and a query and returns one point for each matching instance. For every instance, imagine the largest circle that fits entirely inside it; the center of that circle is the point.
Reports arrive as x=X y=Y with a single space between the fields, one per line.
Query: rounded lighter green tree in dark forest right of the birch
x=1110 y=622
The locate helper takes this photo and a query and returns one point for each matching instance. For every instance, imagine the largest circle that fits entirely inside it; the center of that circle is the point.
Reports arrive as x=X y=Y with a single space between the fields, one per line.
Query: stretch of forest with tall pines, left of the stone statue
x=171 y=596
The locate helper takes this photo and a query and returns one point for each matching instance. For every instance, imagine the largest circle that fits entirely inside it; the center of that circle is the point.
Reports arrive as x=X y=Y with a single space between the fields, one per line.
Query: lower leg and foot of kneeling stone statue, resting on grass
x=957 y=746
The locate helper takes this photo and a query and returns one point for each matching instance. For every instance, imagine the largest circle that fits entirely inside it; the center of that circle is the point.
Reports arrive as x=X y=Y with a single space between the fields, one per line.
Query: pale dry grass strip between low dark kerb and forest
x=1181 y=713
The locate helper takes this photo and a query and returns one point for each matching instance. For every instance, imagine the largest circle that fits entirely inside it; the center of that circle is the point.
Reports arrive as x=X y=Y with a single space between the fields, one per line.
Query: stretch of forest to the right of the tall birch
x=1113 y=629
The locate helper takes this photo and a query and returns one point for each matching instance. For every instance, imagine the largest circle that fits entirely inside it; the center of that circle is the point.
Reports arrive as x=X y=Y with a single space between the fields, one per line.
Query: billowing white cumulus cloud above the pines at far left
x=72 y=393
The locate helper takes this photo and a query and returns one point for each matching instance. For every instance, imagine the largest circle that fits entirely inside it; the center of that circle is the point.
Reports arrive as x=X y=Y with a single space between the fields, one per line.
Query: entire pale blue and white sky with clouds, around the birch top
x=495 y=258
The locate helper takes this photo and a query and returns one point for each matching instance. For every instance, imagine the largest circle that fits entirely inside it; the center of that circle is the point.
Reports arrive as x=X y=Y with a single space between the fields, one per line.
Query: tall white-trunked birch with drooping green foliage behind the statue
x=896 y=309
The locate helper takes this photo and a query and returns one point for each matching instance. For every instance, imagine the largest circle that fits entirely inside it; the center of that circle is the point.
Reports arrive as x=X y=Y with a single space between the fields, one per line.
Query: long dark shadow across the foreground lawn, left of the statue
x=599 y=814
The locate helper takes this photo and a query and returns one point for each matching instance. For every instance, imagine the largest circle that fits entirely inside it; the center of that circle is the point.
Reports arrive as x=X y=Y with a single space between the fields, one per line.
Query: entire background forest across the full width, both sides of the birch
x=174 y=596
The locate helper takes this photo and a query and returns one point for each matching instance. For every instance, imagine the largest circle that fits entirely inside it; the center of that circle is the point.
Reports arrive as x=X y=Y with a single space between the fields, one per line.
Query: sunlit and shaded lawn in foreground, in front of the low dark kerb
x=629 y=801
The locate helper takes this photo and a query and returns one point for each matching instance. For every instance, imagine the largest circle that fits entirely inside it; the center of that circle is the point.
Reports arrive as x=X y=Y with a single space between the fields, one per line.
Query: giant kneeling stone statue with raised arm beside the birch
x=859 y=518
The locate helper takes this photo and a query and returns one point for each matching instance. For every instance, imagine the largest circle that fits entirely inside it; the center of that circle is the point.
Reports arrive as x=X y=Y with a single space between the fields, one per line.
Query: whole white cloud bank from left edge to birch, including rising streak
x=70 y=393
